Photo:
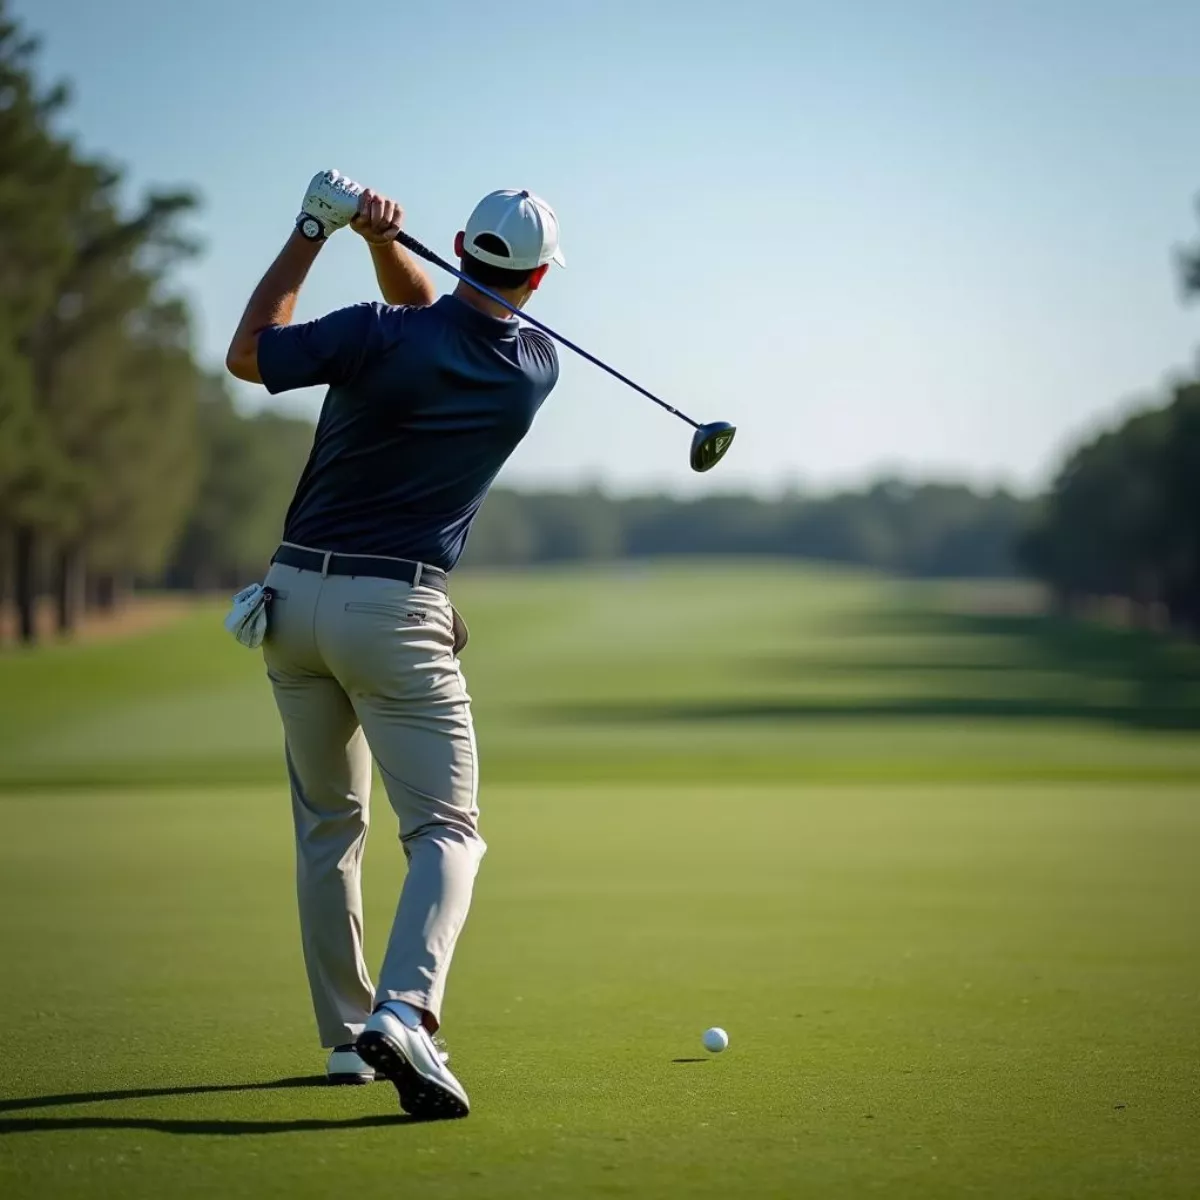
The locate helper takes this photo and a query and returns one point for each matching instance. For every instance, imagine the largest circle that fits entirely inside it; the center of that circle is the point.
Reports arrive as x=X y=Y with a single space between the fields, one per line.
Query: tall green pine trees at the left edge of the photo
x=98 y=381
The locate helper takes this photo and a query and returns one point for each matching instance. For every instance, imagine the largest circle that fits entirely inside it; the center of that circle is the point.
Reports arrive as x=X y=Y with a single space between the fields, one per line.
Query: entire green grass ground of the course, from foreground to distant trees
x=934 y=869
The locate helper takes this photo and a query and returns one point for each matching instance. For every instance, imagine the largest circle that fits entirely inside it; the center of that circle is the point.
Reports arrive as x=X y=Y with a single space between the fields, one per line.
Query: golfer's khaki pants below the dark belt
x=362 y=668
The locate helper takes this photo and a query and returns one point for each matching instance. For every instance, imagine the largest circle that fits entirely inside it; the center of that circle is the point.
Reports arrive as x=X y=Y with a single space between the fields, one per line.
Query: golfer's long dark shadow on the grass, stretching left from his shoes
x=179 y=1126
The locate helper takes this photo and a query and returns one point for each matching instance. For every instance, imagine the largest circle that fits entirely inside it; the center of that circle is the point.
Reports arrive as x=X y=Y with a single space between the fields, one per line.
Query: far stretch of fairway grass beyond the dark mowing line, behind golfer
x=671 y=674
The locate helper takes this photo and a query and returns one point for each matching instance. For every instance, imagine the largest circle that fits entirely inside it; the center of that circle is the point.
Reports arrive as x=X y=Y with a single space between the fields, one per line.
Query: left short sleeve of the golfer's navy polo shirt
x=328 y=351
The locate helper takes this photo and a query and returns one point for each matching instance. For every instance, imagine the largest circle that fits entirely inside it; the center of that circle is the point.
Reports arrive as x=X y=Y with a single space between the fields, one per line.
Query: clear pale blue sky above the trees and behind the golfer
x=932 y=236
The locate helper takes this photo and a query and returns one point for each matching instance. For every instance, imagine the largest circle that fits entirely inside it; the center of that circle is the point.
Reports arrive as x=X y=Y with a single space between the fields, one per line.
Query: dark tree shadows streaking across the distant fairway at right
x=962 y=665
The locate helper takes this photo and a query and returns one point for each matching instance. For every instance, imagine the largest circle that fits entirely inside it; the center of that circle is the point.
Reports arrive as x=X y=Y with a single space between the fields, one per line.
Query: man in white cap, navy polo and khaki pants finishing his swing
x=428 y=399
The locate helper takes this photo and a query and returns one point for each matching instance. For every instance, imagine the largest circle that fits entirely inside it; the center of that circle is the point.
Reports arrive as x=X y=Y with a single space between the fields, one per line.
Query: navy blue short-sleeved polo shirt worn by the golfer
x=425 y=405
